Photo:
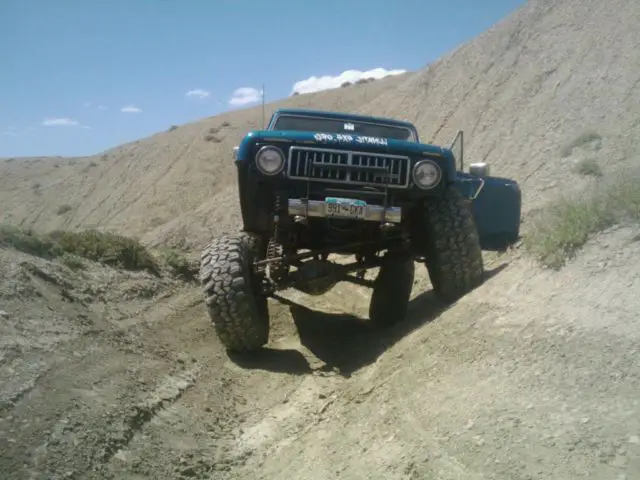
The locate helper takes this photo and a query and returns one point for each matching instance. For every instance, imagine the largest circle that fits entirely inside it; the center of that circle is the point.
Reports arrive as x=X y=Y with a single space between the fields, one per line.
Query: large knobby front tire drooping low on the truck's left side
x=236 y=306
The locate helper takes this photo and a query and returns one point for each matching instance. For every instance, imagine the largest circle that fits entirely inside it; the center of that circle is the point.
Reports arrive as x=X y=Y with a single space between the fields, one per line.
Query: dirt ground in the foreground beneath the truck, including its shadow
x=533 y=375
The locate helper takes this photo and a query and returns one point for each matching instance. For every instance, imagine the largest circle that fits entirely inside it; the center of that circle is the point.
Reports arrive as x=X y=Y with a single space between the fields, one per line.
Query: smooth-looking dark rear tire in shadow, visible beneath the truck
x=392 y=290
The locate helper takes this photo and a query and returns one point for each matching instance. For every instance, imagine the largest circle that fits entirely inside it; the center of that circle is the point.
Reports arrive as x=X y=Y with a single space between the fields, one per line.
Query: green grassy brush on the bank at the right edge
x=566 y=225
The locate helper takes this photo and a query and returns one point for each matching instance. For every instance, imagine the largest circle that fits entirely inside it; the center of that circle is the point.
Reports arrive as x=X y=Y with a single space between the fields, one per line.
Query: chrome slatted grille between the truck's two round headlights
x=344 y=166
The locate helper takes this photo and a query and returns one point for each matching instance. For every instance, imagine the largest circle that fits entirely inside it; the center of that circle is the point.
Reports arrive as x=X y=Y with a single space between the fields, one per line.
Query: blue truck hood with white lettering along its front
x=344 y=141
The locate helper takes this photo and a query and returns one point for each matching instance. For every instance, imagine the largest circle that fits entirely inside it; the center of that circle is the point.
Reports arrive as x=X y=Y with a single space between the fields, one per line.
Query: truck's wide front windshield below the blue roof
x=331 y=125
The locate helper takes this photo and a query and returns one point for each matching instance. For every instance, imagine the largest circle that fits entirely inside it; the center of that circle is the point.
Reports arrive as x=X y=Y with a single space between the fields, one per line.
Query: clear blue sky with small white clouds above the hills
x=69 y=67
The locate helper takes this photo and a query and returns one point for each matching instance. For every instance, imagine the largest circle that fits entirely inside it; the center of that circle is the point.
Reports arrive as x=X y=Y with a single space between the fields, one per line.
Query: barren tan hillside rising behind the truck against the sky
x=552 y=75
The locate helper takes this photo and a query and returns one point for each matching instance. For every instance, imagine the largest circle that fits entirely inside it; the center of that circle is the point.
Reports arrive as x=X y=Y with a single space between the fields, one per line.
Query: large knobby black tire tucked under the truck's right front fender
x=452 y=246
